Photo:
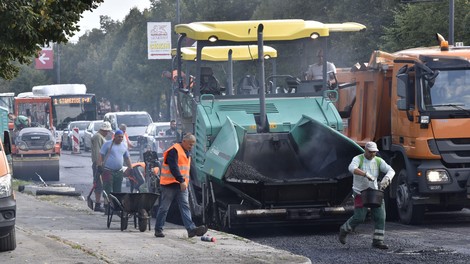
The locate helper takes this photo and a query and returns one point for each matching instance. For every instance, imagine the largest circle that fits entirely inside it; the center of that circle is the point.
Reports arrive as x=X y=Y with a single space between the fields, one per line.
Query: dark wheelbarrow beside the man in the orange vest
x=136 y=205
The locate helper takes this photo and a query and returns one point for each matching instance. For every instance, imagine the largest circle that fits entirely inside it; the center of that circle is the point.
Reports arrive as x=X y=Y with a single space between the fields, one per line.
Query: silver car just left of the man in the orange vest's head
x=154 y=139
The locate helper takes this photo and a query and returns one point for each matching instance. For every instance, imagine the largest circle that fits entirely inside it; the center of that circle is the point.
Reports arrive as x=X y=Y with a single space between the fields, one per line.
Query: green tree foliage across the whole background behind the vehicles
x=112 y=60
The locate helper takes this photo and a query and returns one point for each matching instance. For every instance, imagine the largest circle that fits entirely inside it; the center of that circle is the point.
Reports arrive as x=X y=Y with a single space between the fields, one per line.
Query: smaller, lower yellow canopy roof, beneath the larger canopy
x=220 y=53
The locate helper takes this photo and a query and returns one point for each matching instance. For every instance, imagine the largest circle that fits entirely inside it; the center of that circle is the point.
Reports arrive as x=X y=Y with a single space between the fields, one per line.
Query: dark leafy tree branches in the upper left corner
x=25 y=25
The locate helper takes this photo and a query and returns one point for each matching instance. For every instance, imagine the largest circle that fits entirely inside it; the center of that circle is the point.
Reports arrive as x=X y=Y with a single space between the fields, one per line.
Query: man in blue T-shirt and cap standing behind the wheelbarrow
x=113 y=154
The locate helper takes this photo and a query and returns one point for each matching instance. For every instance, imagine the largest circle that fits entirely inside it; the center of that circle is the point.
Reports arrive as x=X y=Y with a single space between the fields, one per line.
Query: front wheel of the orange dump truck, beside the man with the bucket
x=408 y=212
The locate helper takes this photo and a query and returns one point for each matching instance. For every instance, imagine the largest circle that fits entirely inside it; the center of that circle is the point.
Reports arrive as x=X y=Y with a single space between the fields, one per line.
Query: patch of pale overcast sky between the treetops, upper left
x=116 y=9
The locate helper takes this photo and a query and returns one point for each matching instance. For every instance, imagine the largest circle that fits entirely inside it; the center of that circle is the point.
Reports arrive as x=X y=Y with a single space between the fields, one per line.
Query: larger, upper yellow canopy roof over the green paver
x=274 y=30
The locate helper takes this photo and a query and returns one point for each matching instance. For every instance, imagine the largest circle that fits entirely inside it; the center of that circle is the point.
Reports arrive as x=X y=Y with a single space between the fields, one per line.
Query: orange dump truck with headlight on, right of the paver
x=415 y=104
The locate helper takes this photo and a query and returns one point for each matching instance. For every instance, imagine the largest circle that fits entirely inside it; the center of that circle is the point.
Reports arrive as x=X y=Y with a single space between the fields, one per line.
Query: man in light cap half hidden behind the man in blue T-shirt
x=97 y=142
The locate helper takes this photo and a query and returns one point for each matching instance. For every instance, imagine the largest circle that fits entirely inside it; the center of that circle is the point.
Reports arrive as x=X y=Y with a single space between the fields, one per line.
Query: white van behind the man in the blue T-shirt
x=136 y=122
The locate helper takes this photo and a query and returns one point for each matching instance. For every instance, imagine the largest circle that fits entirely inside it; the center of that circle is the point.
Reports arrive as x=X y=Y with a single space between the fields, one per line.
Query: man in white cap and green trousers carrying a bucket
x=366 y=168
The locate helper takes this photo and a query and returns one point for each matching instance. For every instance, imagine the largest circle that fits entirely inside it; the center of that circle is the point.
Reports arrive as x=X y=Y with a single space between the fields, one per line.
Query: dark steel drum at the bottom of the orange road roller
x=26 y=169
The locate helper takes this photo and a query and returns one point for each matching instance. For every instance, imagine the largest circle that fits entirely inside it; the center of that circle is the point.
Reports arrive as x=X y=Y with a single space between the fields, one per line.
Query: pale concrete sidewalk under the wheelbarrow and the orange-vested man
x=69 y=222
